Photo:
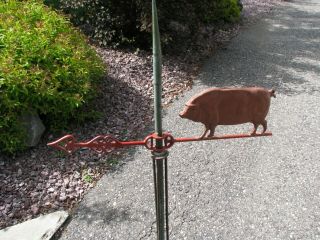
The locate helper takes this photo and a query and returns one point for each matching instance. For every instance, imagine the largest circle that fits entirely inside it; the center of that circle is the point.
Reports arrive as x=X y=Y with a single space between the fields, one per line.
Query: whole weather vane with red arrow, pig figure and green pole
x=213 y=107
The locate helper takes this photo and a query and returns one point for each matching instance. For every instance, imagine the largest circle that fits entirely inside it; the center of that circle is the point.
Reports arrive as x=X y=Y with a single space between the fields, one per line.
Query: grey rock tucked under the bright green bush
x=33 y=126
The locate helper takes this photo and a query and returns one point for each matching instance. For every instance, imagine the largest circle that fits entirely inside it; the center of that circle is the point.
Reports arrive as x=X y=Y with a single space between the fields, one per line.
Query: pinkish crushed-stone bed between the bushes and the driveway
x=43 y=180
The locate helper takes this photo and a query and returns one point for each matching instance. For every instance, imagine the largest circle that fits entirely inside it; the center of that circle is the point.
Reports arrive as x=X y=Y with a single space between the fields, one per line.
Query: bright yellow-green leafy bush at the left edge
x=45 y=65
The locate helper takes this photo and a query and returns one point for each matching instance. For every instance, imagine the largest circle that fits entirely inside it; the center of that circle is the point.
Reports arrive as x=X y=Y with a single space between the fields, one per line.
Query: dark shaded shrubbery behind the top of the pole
x=121 y=22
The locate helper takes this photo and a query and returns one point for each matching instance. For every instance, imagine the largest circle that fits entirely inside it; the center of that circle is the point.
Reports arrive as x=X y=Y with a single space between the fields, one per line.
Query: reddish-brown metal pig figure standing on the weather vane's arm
x=229 y=106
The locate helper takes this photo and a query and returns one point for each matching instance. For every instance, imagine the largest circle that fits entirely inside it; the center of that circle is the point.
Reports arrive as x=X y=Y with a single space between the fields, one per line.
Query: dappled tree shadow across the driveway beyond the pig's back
x=281 y=54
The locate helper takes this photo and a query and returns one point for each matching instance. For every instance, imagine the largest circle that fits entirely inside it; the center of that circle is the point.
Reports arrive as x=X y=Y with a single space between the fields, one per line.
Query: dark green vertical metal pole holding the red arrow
x=159 y=158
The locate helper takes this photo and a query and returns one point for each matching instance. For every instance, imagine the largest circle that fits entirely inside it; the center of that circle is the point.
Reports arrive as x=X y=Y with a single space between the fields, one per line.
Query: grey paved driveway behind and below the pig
x=263 y=188
